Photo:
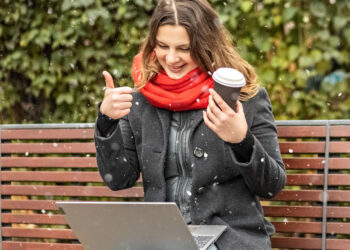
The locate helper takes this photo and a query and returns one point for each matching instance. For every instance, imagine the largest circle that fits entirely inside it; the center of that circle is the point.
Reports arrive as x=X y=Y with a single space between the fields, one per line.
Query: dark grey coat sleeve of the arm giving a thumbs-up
x=116 y=153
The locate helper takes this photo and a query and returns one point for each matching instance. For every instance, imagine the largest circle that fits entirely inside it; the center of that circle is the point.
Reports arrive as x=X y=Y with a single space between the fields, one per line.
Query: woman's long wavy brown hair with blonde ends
x=211 y=45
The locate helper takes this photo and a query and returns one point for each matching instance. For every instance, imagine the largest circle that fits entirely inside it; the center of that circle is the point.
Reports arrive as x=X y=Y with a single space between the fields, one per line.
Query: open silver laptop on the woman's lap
x=136 y=226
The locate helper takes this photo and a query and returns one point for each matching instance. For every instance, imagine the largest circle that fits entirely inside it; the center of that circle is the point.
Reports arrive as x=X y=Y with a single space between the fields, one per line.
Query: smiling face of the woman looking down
x=173 y=50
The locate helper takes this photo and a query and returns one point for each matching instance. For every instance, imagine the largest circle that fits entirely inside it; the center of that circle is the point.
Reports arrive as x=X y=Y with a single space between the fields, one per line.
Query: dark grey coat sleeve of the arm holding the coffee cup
x=264 y=172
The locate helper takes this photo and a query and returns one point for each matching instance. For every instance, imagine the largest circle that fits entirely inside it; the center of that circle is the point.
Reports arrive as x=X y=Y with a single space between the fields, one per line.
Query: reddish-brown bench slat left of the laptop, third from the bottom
x=33 y=219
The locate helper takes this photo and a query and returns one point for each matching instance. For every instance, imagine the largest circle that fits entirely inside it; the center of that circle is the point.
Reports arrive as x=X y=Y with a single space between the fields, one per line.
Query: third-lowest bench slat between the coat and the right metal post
x=293 y=211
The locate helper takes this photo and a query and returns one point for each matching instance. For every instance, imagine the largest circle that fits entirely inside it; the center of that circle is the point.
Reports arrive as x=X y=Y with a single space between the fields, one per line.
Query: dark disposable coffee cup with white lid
x=228 y=83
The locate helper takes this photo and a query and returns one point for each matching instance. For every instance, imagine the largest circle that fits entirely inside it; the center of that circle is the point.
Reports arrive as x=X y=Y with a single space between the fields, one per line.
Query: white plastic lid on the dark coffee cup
x=229 y=77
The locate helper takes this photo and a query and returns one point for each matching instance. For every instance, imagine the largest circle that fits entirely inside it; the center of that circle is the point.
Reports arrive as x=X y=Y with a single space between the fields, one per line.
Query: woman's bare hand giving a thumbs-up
x=117 y=101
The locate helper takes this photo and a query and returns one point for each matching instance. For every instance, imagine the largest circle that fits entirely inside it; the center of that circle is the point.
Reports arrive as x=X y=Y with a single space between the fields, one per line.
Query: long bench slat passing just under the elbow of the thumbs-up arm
x=43 y=190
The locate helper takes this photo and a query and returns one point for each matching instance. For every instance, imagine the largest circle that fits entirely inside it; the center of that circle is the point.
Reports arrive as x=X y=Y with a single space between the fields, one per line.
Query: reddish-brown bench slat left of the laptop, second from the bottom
x=38 y=233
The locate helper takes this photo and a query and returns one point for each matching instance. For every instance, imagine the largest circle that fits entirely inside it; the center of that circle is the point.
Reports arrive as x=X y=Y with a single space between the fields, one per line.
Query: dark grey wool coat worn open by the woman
x=225 y=191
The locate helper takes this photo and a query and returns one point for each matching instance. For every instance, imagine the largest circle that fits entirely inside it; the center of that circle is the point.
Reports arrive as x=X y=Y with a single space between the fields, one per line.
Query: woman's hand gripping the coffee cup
x=229 y=125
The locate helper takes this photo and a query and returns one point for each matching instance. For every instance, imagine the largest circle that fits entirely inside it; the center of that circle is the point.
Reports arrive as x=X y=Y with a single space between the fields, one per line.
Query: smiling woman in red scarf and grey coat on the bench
x=189 y=145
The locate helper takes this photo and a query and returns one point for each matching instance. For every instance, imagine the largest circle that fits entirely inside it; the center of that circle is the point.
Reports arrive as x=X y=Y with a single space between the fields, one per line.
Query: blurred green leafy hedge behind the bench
x=52 y=54
